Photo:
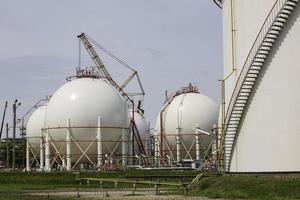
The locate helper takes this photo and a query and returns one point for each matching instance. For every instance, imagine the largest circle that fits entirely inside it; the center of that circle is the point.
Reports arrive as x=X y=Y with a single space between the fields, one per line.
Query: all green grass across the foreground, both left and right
x=227 y=187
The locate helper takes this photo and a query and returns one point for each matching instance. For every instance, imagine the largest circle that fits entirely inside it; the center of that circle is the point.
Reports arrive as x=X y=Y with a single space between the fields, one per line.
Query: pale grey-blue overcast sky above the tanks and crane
x=169 y=42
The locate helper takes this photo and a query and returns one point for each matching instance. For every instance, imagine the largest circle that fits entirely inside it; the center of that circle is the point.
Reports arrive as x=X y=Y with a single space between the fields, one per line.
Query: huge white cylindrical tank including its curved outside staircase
x=260 y=111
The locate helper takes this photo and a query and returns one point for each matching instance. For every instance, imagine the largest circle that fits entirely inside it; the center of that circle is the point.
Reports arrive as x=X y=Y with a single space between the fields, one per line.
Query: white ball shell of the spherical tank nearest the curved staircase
x=180 y=116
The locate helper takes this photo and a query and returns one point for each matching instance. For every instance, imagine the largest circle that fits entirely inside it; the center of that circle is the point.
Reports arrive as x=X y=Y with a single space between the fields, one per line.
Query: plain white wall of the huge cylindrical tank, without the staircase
x=268 y=133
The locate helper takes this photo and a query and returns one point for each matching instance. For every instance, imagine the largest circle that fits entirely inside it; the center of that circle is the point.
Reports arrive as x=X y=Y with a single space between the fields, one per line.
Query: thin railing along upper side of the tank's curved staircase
x=265 y=28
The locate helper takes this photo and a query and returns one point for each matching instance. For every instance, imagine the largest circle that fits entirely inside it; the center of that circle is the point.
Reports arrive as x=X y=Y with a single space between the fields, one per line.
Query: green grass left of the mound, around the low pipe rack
x=12 y=183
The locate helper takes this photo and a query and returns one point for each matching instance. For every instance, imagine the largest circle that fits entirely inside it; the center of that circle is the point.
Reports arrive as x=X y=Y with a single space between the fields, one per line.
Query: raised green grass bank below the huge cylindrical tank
x=248 y=187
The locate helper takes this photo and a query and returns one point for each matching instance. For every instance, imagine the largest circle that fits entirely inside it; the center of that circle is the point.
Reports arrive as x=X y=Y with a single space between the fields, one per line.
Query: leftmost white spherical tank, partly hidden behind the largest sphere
x=35 y=124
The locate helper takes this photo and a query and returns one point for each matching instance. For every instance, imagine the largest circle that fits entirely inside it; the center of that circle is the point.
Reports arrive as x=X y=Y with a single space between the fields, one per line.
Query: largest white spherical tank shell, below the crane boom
x=80 y=104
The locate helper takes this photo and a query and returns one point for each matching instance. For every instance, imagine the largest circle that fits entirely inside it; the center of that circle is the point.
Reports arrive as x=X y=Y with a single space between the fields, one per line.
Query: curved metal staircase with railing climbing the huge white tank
x=259 y=52
